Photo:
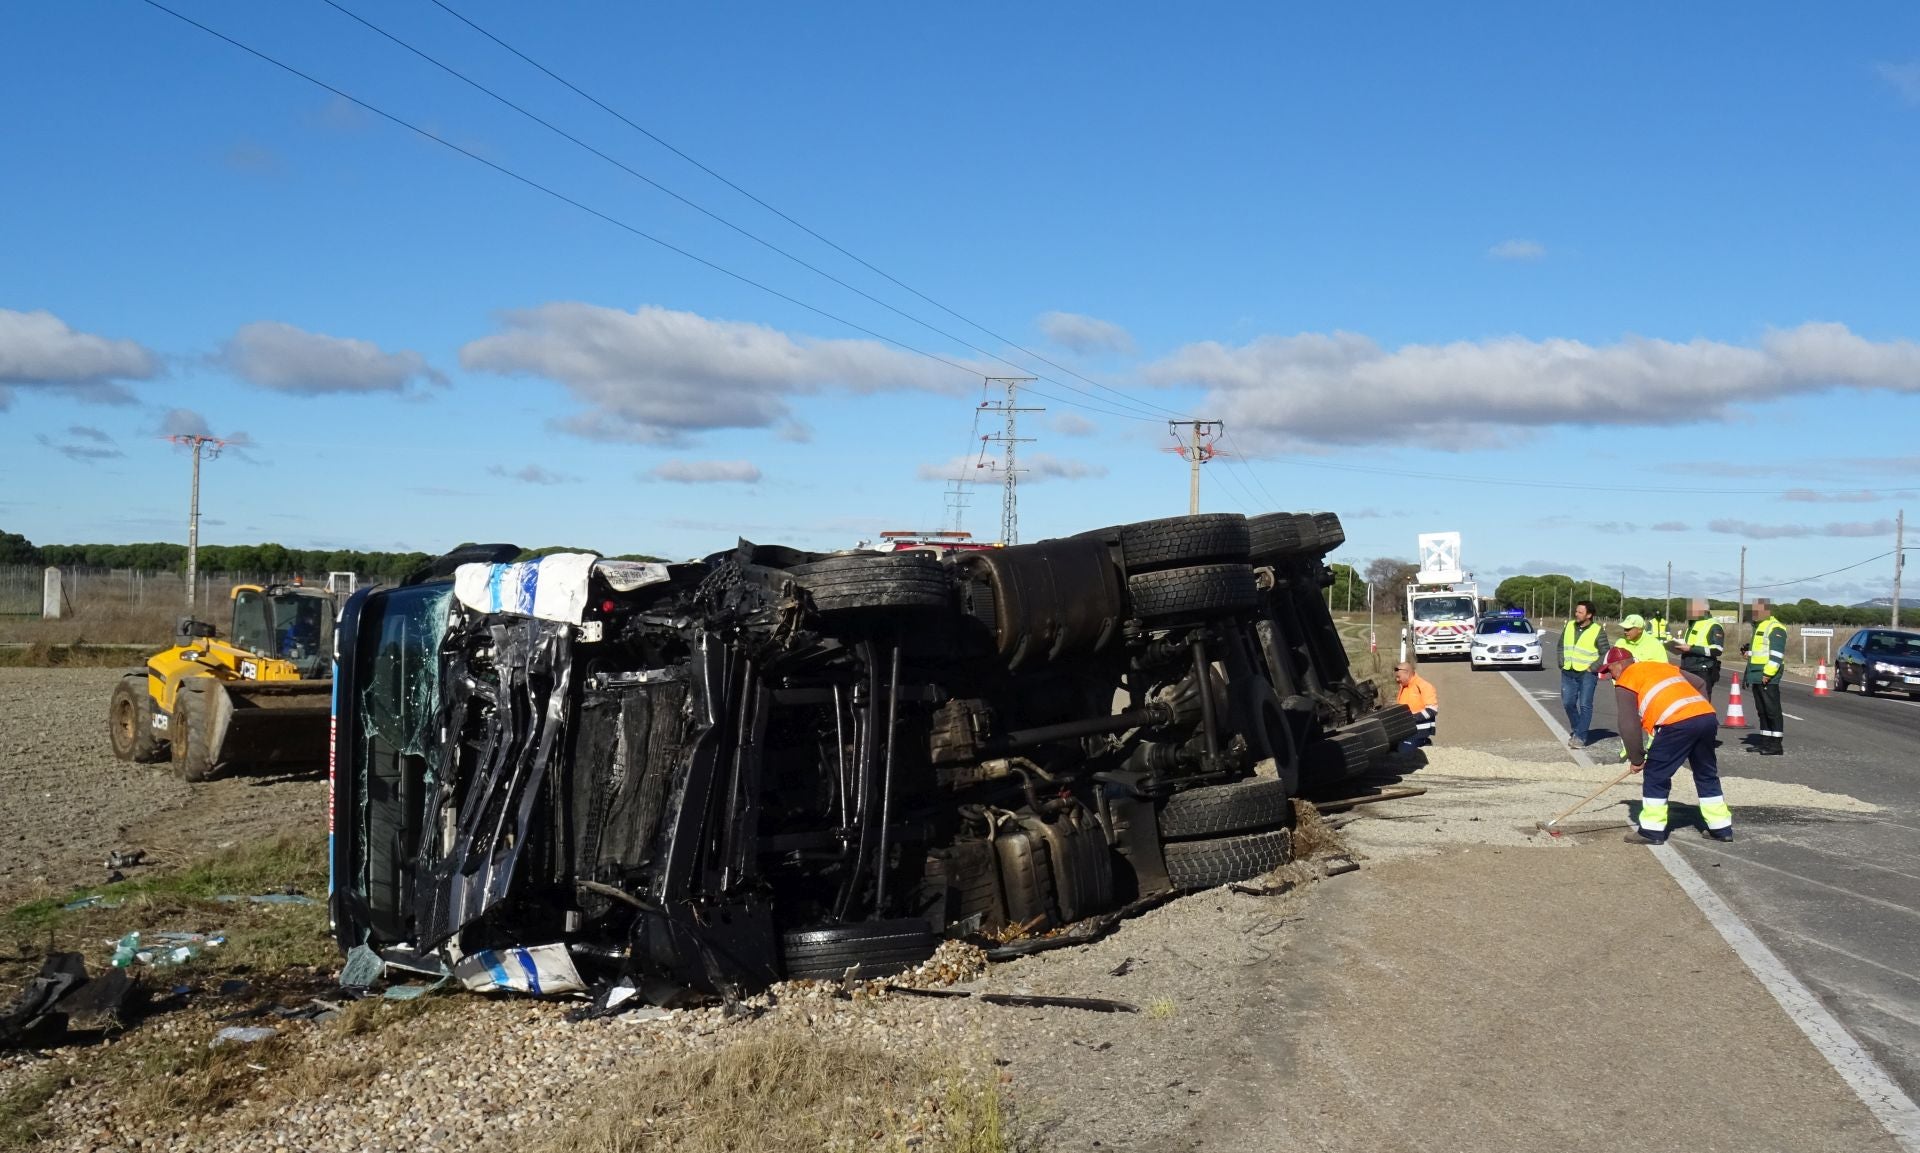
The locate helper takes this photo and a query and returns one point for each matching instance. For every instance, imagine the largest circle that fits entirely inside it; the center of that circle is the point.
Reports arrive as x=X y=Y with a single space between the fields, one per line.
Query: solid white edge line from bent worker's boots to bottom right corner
x=1854 y=1064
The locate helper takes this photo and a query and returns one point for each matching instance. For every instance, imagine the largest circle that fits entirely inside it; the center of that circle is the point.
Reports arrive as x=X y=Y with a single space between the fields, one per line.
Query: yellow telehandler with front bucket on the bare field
x=262 y=697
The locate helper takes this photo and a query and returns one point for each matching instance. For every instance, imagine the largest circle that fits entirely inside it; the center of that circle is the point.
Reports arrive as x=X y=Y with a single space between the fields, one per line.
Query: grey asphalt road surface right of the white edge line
x=1835 y=895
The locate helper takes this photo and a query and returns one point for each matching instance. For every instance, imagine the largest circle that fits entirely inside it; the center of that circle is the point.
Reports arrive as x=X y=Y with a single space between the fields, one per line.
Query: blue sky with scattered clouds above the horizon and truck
x=1401 y=252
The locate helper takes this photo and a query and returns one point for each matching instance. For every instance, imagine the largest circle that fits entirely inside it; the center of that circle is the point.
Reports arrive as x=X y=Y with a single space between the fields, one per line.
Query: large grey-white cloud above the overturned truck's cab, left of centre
x=656 y=375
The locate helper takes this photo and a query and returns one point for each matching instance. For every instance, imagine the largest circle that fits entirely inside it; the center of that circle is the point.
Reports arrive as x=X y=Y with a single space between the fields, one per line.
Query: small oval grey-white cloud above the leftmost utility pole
x=289 y=360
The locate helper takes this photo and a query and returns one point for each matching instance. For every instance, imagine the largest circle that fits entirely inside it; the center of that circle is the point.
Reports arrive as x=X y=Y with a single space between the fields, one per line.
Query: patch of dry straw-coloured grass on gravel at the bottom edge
x=788 y=1089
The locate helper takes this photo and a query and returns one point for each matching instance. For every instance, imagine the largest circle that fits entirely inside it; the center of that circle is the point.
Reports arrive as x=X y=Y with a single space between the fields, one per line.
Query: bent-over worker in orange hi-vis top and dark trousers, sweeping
x=1668 y=703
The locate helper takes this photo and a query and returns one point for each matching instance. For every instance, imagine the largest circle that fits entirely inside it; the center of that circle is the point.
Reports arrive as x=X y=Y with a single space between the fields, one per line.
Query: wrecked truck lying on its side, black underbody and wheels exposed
x=786 y=765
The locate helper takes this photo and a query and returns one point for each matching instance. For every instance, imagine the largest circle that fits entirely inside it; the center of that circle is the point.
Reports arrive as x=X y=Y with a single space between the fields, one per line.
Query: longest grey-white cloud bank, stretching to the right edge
x=1345 y=388
